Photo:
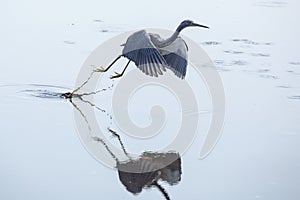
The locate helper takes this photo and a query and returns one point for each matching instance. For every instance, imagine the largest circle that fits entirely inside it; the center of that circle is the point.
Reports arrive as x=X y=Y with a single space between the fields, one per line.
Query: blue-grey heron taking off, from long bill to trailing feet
x=153 y=54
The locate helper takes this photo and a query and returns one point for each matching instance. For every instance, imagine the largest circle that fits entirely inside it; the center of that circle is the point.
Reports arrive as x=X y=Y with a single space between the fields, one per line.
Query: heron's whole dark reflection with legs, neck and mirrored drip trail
x=147 y=170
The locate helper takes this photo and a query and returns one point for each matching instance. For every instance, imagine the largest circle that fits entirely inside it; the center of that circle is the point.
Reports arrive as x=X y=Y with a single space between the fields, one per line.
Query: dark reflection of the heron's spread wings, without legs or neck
x=149 y=168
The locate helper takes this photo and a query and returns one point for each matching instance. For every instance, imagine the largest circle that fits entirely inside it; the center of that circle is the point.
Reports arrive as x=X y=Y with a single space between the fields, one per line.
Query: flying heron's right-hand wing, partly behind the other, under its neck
x=176 y=57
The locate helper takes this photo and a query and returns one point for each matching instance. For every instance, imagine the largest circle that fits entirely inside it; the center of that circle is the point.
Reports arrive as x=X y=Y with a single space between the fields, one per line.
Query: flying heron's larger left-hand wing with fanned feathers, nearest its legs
x=139 y=49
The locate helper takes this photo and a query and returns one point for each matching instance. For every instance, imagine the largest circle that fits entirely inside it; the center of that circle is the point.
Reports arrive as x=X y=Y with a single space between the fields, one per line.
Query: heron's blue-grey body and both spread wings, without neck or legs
x=154 y=59
